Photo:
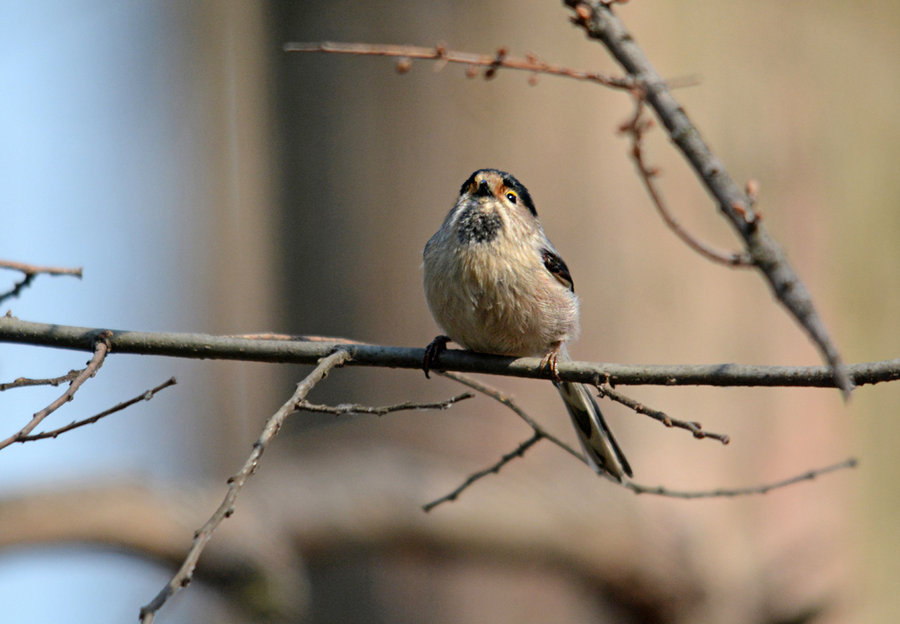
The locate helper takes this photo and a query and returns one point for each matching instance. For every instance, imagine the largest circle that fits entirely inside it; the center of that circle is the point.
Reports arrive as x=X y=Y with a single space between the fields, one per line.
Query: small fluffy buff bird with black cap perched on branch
x=496 y=284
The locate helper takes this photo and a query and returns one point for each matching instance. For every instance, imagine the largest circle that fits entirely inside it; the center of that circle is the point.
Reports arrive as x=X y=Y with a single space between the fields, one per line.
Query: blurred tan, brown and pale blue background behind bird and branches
x=207 y=181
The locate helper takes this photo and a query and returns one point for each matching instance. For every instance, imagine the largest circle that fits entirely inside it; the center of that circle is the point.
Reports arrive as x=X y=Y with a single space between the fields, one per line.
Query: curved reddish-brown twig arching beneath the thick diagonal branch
x=635 y=127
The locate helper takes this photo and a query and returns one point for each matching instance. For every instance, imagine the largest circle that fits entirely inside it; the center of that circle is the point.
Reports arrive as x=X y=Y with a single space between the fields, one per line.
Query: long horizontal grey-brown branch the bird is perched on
x=304 y=351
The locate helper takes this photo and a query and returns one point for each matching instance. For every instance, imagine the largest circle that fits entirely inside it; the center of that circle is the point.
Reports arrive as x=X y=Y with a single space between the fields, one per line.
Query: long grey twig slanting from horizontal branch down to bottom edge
x=183 y=577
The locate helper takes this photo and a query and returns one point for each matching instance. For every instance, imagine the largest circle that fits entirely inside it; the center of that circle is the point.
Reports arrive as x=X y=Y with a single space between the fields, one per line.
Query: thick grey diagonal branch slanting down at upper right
x=600 y=23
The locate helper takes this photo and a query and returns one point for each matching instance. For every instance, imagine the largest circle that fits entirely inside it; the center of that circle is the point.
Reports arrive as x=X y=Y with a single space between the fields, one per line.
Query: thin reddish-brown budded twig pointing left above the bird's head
x=440 y=53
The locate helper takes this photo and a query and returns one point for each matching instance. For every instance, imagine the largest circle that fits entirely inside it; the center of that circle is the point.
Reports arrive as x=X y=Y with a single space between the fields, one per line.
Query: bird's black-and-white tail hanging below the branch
x=600 y=447
